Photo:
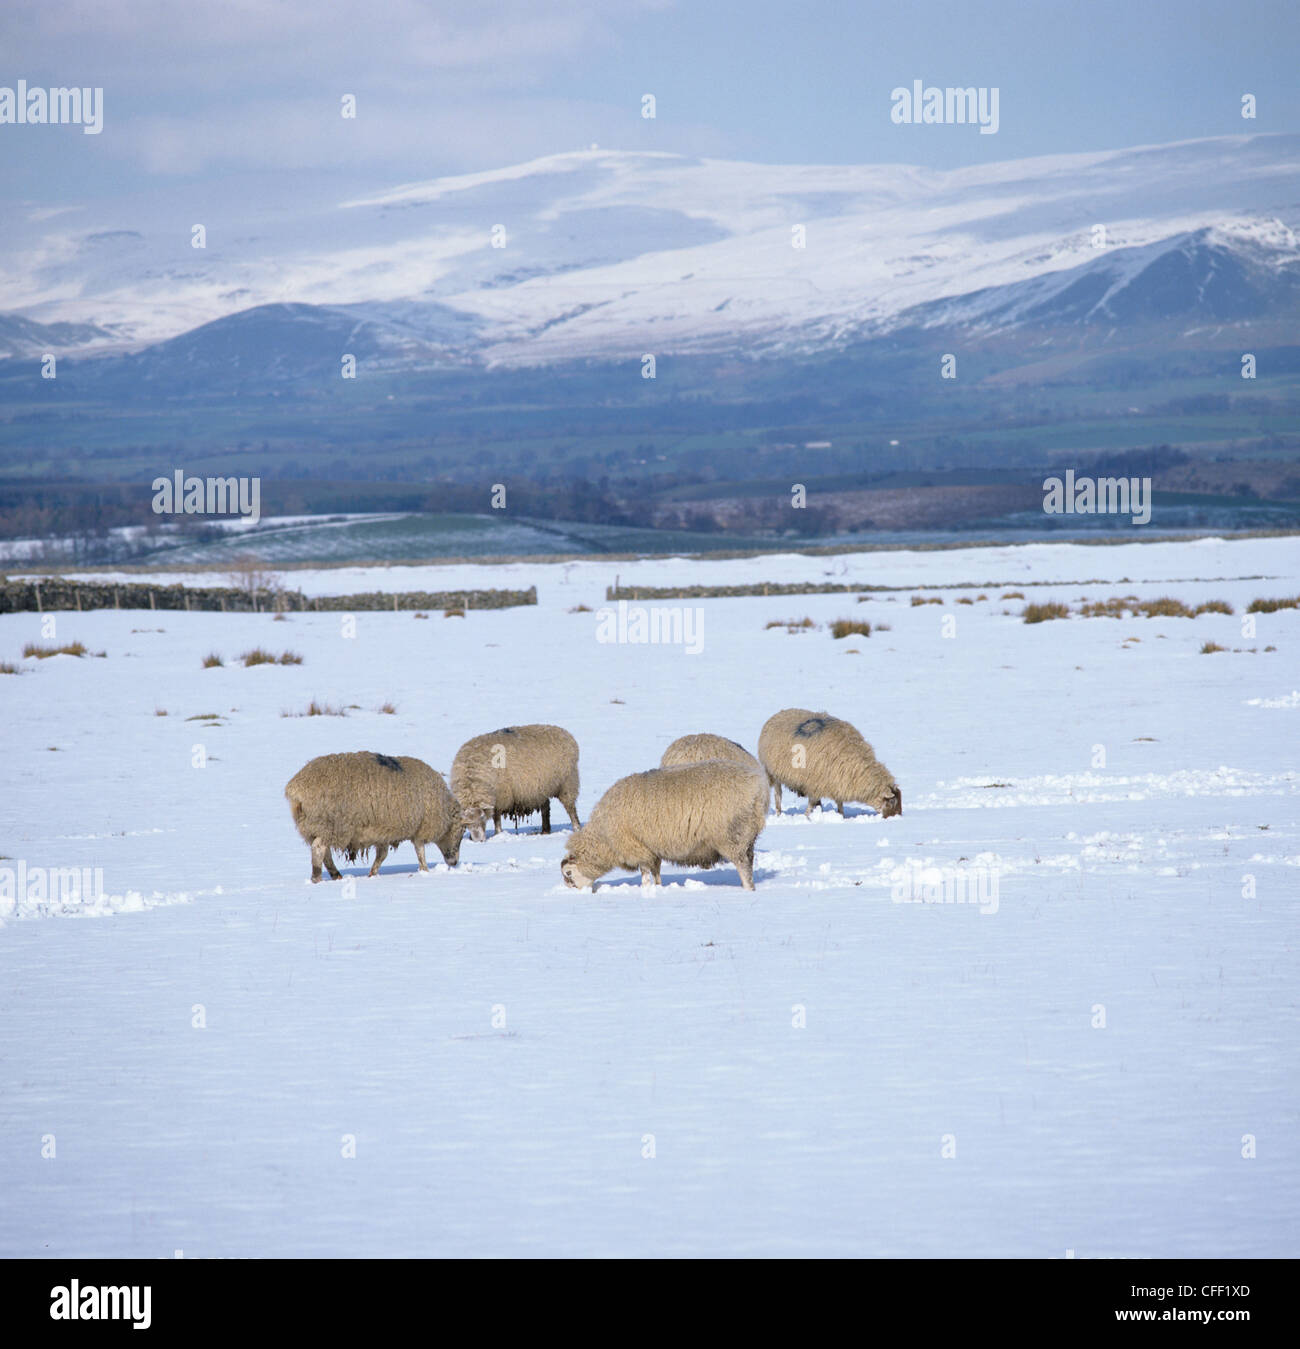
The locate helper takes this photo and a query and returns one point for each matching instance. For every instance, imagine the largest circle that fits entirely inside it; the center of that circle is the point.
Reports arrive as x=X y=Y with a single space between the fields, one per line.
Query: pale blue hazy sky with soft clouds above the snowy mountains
x=247 y=95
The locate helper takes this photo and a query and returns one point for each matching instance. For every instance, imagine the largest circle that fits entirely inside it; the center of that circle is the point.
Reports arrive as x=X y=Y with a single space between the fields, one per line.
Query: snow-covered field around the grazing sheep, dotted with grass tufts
x=227 y=1061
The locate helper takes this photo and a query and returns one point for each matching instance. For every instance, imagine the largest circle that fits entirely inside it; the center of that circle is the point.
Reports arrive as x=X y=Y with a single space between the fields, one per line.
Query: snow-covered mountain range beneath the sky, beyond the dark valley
x=606 y=254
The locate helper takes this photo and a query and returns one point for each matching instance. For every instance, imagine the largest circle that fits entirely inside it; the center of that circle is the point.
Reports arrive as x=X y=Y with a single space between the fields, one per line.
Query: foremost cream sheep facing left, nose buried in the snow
x=691 y=814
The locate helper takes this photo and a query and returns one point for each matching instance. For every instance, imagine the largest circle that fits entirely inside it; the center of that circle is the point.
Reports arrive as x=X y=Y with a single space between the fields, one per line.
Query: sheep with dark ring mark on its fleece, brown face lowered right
x=817 y=755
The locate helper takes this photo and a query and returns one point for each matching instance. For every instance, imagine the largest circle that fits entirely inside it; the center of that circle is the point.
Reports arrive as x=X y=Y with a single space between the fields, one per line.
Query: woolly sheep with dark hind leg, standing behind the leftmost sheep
x=514 y=772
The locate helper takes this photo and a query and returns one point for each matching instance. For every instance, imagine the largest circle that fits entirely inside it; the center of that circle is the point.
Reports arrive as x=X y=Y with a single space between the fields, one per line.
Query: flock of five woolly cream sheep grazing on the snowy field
x=706 y=803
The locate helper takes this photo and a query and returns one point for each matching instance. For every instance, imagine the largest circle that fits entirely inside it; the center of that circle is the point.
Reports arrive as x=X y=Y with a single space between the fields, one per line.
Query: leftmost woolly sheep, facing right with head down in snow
x=362 y=802
